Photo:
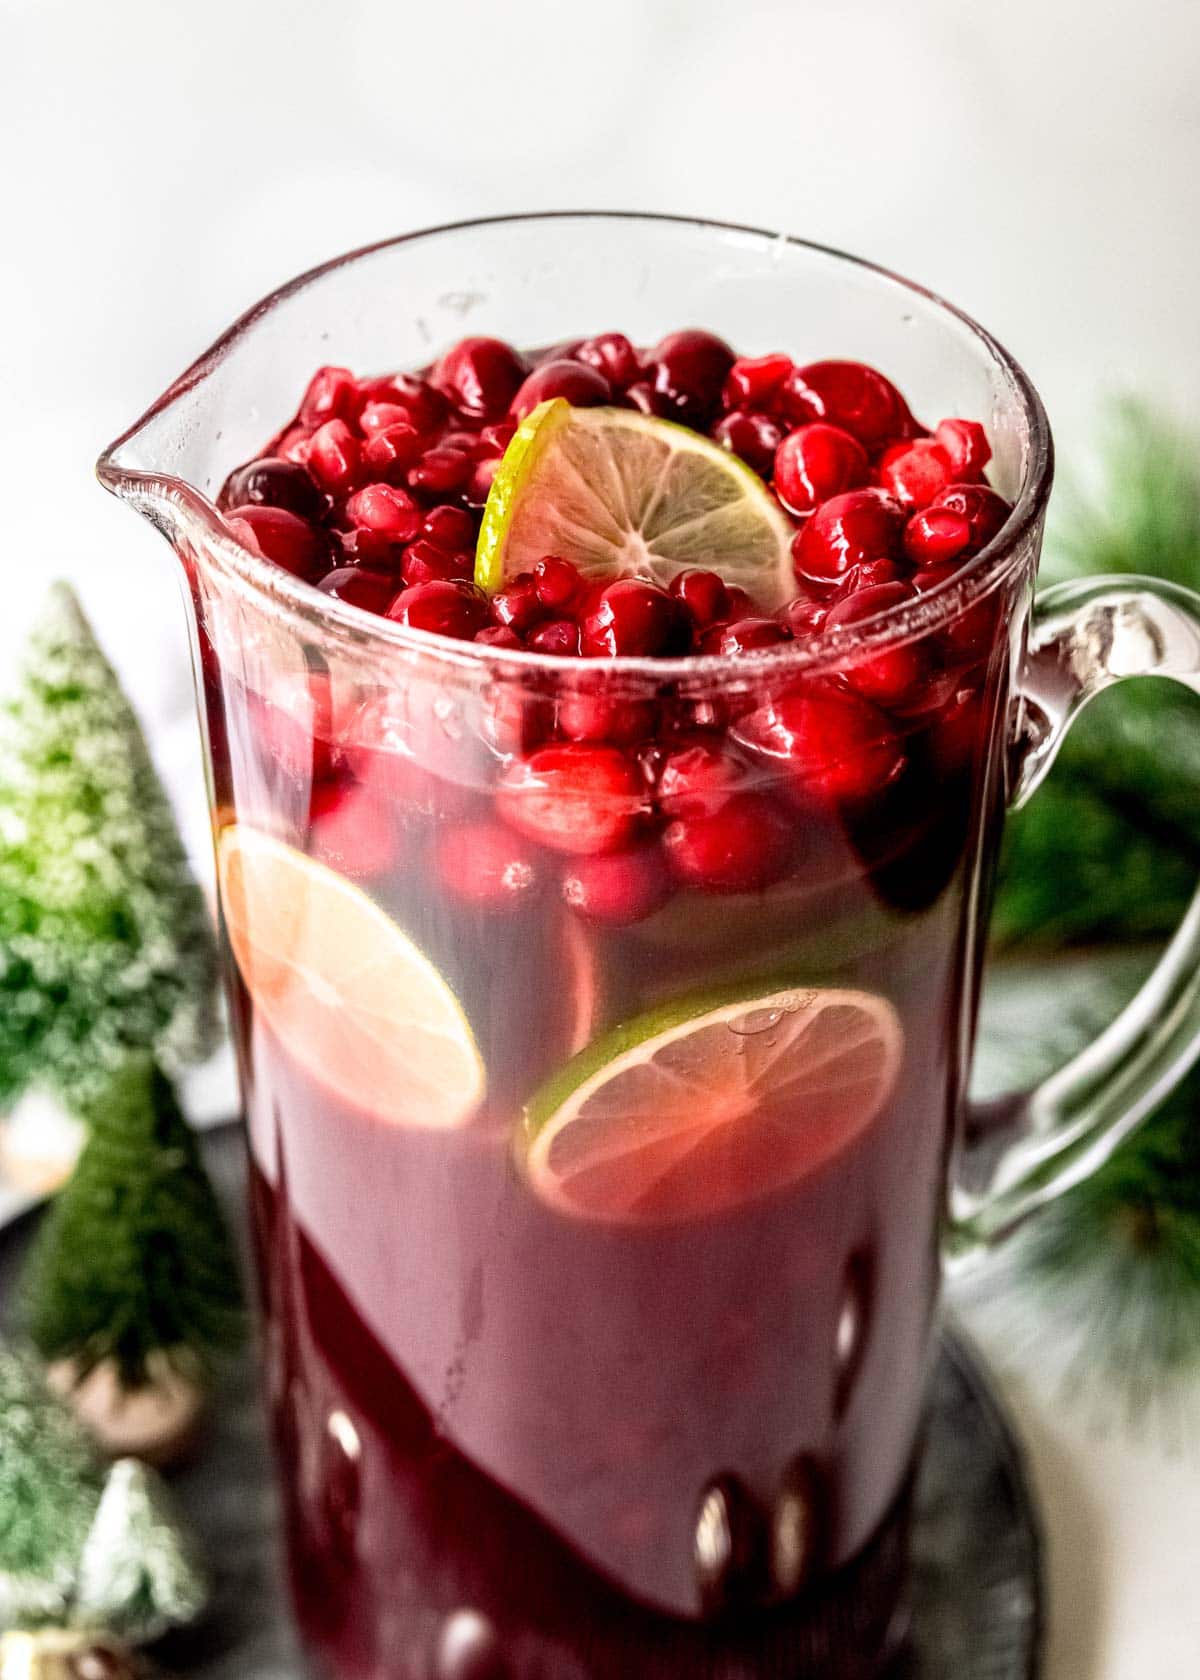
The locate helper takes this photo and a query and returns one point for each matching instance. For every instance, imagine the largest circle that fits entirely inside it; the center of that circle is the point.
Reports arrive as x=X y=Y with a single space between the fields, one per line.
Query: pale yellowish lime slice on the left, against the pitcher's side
x=345 y=990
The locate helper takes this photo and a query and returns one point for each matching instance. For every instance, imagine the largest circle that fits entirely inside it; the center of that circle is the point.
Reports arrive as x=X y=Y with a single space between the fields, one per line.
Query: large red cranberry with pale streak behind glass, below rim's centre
x=574 y=799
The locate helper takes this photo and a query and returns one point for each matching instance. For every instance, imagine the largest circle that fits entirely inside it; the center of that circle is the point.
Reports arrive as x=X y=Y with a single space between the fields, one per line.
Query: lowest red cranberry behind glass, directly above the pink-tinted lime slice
x=742 y=848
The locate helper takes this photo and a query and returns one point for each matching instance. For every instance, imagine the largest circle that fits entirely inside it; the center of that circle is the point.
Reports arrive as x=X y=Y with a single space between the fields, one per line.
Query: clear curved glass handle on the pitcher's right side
x=1028 y=1150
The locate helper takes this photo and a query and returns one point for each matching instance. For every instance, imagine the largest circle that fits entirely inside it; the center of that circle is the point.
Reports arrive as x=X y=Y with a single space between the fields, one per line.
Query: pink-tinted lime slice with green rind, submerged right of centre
x=708 y=1105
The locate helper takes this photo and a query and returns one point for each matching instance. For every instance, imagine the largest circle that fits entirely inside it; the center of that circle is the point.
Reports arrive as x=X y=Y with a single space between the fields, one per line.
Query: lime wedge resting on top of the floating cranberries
x=624 y=495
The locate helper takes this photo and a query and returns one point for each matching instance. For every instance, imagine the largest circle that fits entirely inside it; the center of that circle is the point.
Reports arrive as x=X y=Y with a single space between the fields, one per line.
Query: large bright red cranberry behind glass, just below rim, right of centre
x=834 y=745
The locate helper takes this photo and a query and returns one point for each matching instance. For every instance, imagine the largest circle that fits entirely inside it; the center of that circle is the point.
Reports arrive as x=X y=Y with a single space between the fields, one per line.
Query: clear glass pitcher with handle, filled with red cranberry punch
x=572 y=1370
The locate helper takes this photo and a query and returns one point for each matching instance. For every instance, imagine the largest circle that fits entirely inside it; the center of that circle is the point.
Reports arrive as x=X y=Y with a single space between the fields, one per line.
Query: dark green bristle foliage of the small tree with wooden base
x=134 y=1263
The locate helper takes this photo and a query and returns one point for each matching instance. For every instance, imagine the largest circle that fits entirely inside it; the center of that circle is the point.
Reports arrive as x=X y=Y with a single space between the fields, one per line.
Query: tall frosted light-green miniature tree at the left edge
x=105 y=940
